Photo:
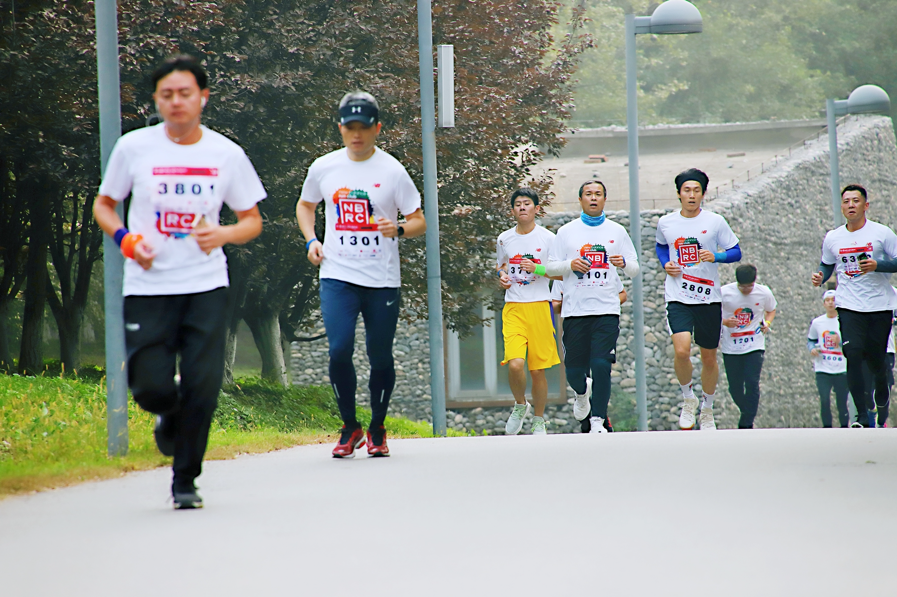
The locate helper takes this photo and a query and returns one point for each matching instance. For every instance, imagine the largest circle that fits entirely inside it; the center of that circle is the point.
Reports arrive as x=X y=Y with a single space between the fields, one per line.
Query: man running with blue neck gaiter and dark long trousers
x=587 y=253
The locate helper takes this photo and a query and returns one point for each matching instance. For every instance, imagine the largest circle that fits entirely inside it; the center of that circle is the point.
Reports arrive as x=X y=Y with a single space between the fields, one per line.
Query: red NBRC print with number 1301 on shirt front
x=357 y=234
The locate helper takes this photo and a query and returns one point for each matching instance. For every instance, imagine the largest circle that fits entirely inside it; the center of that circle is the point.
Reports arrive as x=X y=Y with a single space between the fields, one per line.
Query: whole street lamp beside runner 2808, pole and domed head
x=671 y=17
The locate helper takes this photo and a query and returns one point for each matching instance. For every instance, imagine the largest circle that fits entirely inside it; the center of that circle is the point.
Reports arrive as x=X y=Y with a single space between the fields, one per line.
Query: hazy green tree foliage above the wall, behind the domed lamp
x=755 y=60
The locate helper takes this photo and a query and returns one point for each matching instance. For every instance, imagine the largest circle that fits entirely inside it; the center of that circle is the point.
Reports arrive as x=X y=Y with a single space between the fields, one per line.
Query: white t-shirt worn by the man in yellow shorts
x=512 y=248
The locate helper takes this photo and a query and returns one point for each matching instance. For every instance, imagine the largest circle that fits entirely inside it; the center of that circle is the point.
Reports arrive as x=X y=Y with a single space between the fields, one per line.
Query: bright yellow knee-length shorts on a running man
x=527 y=327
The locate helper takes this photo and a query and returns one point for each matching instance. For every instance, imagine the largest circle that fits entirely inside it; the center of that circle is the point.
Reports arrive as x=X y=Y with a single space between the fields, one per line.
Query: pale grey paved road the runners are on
x=761 y=513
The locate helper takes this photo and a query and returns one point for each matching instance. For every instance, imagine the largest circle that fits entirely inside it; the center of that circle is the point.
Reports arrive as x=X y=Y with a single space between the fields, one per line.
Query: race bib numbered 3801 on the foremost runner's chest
x=181 y=197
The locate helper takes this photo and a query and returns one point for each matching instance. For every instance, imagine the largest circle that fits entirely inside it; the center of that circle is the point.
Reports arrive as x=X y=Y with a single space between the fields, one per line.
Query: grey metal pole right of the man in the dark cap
x=431 y=209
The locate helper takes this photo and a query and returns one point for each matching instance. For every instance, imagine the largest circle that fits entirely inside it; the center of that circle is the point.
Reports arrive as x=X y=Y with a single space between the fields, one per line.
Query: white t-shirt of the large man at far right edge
x=843 y=249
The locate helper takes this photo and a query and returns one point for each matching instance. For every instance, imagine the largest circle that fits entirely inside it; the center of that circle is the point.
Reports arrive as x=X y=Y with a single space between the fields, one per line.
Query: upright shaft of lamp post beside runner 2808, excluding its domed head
x=635 y=229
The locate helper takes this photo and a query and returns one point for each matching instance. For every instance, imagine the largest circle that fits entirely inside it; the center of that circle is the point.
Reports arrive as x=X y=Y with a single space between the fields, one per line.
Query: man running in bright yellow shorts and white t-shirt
x=527 y=325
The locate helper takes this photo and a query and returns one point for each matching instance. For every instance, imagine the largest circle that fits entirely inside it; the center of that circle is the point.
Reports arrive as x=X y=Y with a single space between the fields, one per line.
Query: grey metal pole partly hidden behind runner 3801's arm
x=113 y=263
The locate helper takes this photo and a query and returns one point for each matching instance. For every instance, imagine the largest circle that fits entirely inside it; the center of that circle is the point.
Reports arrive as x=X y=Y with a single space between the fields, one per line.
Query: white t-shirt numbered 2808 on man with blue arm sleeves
x=699 y=282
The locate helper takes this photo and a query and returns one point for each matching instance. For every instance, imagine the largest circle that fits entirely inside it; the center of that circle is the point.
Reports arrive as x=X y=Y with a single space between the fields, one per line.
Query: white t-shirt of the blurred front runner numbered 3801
x=173 y=187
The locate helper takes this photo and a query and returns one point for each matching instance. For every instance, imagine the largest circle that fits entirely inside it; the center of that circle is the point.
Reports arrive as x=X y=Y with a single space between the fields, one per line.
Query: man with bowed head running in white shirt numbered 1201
x=748 y=311
